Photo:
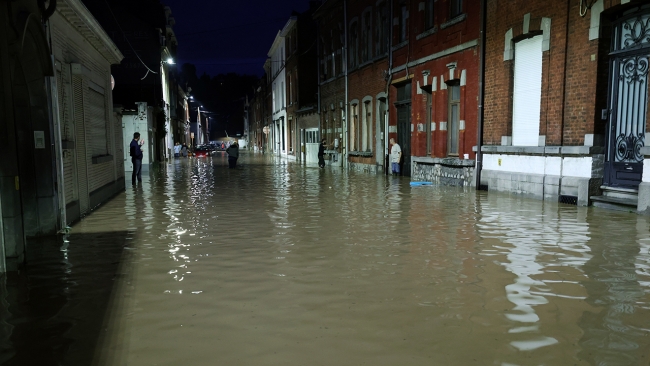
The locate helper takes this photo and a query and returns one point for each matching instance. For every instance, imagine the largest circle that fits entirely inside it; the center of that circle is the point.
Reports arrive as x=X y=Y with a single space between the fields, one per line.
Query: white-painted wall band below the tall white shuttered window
x=546 y=165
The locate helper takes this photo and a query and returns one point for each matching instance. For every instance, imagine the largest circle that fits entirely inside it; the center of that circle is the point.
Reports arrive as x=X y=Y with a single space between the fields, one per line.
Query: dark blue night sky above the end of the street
x=229 y=35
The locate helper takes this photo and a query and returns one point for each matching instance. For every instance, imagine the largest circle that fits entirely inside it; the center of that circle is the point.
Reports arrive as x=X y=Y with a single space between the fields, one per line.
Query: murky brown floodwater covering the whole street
x=280 y=264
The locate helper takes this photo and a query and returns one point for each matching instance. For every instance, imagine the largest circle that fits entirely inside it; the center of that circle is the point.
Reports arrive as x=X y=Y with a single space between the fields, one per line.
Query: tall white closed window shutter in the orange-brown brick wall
x=527 y=92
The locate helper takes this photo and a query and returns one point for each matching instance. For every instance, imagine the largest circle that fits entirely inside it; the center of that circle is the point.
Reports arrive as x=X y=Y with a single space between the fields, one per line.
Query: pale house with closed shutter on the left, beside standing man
x=90 y=130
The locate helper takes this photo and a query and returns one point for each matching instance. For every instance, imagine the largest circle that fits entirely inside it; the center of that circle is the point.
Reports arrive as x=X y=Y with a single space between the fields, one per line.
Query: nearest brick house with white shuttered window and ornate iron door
x=566 y=87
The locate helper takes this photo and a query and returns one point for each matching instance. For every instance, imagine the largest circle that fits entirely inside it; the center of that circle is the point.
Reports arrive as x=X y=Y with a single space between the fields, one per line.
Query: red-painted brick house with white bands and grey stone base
x=434 y=93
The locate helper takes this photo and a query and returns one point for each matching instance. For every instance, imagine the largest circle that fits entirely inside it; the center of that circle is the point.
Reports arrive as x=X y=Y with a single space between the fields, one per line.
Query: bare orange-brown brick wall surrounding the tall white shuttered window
x=575 y=68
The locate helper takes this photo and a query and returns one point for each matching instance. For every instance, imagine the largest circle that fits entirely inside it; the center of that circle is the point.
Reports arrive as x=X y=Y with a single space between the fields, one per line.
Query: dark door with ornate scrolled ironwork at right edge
x=628 y=98
